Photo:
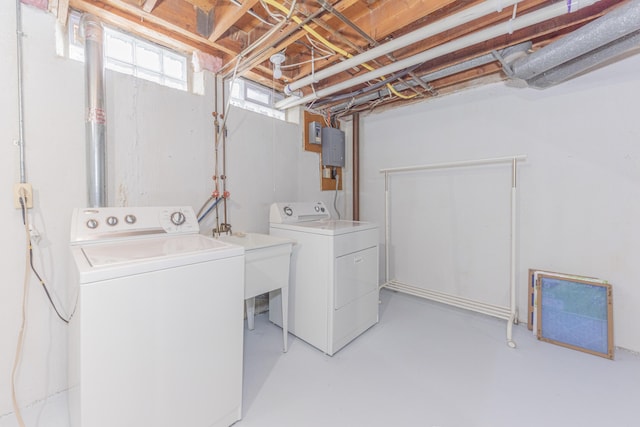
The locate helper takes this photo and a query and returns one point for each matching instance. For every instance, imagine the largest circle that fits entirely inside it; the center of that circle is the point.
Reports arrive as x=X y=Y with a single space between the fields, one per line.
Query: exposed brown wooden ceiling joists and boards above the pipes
x=242 y=30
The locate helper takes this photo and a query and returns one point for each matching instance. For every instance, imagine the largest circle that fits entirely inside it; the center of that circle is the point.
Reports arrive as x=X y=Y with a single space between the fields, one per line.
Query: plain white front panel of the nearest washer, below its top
x=160 y=349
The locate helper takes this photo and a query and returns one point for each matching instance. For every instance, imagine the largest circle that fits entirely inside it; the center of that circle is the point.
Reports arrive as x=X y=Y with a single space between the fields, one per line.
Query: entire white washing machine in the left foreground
x=157 y=336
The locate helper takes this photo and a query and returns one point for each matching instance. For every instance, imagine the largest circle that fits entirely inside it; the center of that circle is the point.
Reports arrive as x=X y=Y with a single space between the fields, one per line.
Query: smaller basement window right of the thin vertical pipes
x=257 y=98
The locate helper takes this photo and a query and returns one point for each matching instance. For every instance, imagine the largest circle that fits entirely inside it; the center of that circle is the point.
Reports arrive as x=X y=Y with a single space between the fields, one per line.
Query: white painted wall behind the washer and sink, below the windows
x=160 y=145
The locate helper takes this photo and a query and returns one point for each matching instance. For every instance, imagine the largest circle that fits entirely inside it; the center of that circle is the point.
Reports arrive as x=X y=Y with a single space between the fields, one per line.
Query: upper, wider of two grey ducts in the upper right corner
x=606 y=29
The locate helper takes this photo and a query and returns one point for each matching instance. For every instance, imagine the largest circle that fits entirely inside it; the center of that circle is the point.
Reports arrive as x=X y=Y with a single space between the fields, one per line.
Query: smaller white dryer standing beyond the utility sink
x=333 y=288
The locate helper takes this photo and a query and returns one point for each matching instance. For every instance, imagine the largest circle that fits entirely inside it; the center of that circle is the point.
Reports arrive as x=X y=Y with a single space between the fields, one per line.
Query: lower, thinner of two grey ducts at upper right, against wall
x=585 y=62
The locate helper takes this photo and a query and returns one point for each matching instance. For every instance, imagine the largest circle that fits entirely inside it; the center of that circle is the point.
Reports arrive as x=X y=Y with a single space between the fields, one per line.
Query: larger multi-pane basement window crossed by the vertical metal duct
x=131 y=55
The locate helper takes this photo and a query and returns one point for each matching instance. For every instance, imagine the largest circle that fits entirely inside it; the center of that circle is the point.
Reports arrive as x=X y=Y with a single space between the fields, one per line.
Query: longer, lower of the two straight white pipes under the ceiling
x=532 y=18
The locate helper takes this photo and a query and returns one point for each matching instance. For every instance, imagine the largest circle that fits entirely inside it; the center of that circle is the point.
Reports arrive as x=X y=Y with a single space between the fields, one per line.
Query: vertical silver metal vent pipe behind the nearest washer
x=95 y=125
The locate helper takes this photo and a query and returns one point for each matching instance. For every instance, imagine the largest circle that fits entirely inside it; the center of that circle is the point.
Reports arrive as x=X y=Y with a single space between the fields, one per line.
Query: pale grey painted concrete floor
x=423 y=364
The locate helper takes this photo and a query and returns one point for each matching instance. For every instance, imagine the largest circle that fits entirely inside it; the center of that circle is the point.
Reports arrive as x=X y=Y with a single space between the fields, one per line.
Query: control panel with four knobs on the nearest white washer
x=106 y=223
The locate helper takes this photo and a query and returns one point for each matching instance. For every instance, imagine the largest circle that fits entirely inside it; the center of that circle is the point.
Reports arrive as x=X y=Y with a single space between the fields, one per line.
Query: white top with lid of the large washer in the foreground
x=103 y=261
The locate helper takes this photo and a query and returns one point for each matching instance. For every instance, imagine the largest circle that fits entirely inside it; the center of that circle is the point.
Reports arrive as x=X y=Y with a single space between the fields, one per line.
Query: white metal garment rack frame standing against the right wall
x=509 y=313
